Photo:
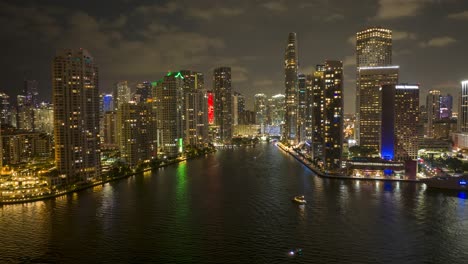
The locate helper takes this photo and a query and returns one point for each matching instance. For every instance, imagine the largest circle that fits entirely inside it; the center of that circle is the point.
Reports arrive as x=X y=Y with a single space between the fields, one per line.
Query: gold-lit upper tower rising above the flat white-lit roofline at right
x=374 y=47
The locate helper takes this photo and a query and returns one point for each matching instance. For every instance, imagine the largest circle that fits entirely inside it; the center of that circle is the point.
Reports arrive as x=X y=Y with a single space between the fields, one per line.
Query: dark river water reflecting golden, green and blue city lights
x=234 y=206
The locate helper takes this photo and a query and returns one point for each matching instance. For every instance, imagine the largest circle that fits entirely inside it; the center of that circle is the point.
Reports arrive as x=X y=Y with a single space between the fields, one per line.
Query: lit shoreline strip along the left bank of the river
x=90 y=185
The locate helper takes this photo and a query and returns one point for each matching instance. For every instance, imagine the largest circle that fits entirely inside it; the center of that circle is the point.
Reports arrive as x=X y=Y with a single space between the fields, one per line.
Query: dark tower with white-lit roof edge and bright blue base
x=400 y=113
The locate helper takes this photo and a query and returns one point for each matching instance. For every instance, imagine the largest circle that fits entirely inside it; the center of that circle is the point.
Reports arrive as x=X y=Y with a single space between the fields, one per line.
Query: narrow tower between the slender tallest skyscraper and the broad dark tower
x=302 y=101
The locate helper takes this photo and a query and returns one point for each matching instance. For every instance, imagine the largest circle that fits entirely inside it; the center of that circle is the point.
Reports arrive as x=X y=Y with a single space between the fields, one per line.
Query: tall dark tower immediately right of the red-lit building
x=222 y=102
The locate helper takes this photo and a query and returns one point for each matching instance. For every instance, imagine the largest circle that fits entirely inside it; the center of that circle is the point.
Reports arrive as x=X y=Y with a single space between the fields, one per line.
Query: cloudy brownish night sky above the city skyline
x=141 y=40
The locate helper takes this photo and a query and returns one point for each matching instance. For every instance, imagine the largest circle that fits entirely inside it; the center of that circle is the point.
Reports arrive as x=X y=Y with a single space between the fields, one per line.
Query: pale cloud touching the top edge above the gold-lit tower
x=391 y=9
